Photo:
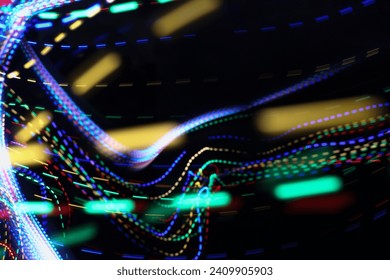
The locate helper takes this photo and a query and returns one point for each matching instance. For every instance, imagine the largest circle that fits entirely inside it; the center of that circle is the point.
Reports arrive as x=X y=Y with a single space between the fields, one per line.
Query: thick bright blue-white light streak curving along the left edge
x=29 y=231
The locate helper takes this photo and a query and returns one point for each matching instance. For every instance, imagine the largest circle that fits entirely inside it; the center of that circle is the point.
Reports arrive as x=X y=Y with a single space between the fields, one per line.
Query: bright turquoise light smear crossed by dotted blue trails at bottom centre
x=219 y=199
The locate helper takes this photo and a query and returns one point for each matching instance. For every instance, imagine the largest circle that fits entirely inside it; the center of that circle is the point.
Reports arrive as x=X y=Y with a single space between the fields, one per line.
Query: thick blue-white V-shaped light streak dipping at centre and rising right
x=141 y=158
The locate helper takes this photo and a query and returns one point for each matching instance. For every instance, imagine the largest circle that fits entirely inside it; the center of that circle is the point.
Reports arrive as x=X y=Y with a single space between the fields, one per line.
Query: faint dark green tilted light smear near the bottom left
x=77 y=235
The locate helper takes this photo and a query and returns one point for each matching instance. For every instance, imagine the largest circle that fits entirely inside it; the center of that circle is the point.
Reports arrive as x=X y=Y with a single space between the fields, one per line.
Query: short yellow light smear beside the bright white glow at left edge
x=30 y=155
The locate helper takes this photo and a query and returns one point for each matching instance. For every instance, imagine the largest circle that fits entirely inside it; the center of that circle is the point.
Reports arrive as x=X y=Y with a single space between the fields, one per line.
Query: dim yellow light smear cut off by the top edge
x=184 y=15
